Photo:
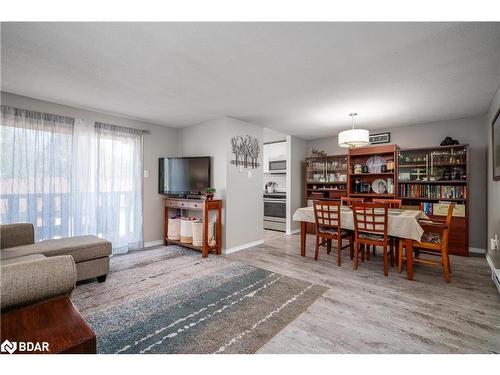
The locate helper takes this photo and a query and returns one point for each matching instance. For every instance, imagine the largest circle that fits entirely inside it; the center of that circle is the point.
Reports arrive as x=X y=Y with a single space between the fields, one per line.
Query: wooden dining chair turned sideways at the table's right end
x=434 y=242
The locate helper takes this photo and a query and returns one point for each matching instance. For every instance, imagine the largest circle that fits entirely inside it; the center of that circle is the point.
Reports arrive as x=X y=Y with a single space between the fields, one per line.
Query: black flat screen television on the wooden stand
x=189 y=175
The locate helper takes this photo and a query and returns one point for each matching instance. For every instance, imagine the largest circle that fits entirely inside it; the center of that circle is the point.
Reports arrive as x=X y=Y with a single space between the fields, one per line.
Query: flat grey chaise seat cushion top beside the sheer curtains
x=81 y=248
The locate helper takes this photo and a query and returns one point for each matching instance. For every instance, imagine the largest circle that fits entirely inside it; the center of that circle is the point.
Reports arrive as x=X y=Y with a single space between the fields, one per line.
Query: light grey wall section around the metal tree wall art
x=242 y=194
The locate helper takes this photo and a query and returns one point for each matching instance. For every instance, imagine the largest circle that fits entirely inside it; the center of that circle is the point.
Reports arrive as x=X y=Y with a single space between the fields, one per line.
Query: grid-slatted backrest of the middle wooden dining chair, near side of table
x=370 y=218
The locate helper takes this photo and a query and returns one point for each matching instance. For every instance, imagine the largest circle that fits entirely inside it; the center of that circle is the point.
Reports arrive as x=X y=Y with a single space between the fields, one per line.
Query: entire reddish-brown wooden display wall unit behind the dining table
x=427 y=176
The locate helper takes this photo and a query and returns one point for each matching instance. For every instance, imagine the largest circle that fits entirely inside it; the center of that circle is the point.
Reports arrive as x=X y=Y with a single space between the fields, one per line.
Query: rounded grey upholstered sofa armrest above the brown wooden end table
x=31 y=281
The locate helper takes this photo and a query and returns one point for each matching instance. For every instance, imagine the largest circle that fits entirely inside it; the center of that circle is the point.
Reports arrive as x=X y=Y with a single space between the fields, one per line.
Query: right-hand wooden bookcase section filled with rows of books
x=431 y=178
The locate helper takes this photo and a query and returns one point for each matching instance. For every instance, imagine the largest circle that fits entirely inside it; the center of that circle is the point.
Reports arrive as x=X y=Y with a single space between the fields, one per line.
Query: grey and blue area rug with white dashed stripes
x=170 y=300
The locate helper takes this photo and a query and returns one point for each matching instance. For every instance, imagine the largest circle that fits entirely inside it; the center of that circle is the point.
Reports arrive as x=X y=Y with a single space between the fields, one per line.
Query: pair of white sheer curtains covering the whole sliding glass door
x=71 y=177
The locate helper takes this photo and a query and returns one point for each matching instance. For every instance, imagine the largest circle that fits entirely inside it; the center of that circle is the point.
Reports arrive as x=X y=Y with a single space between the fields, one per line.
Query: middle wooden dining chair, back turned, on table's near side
x=370 y=228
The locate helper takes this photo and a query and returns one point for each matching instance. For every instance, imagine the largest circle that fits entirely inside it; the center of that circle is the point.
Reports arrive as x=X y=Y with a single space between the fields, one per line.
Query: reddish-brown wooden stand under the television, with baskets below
x=195 y=205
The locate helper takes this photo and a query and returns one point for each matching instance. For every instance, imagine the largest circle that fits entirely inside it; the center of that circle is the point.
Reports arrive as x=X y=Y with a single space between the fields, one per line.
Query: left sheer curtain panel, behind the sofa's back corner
x=35 y=171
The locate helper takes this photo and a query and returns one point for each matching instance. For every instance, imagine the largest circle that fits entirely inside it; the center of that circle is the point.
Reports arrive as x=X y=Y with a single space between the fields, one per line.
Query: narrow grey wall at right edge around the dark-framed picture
x=493 y=205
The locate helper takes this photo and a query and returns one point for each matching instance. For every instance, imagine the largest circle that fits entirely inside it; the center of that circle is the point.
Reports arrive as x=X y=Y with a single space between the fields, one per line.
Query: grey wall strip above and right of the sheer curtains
x=162 y=141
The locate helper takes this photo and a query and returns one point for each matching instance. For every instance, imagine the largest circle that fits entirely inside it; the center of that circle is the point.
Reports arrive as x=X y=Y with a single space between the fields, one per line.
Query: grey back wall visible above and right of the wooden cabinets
x=466 y=131
